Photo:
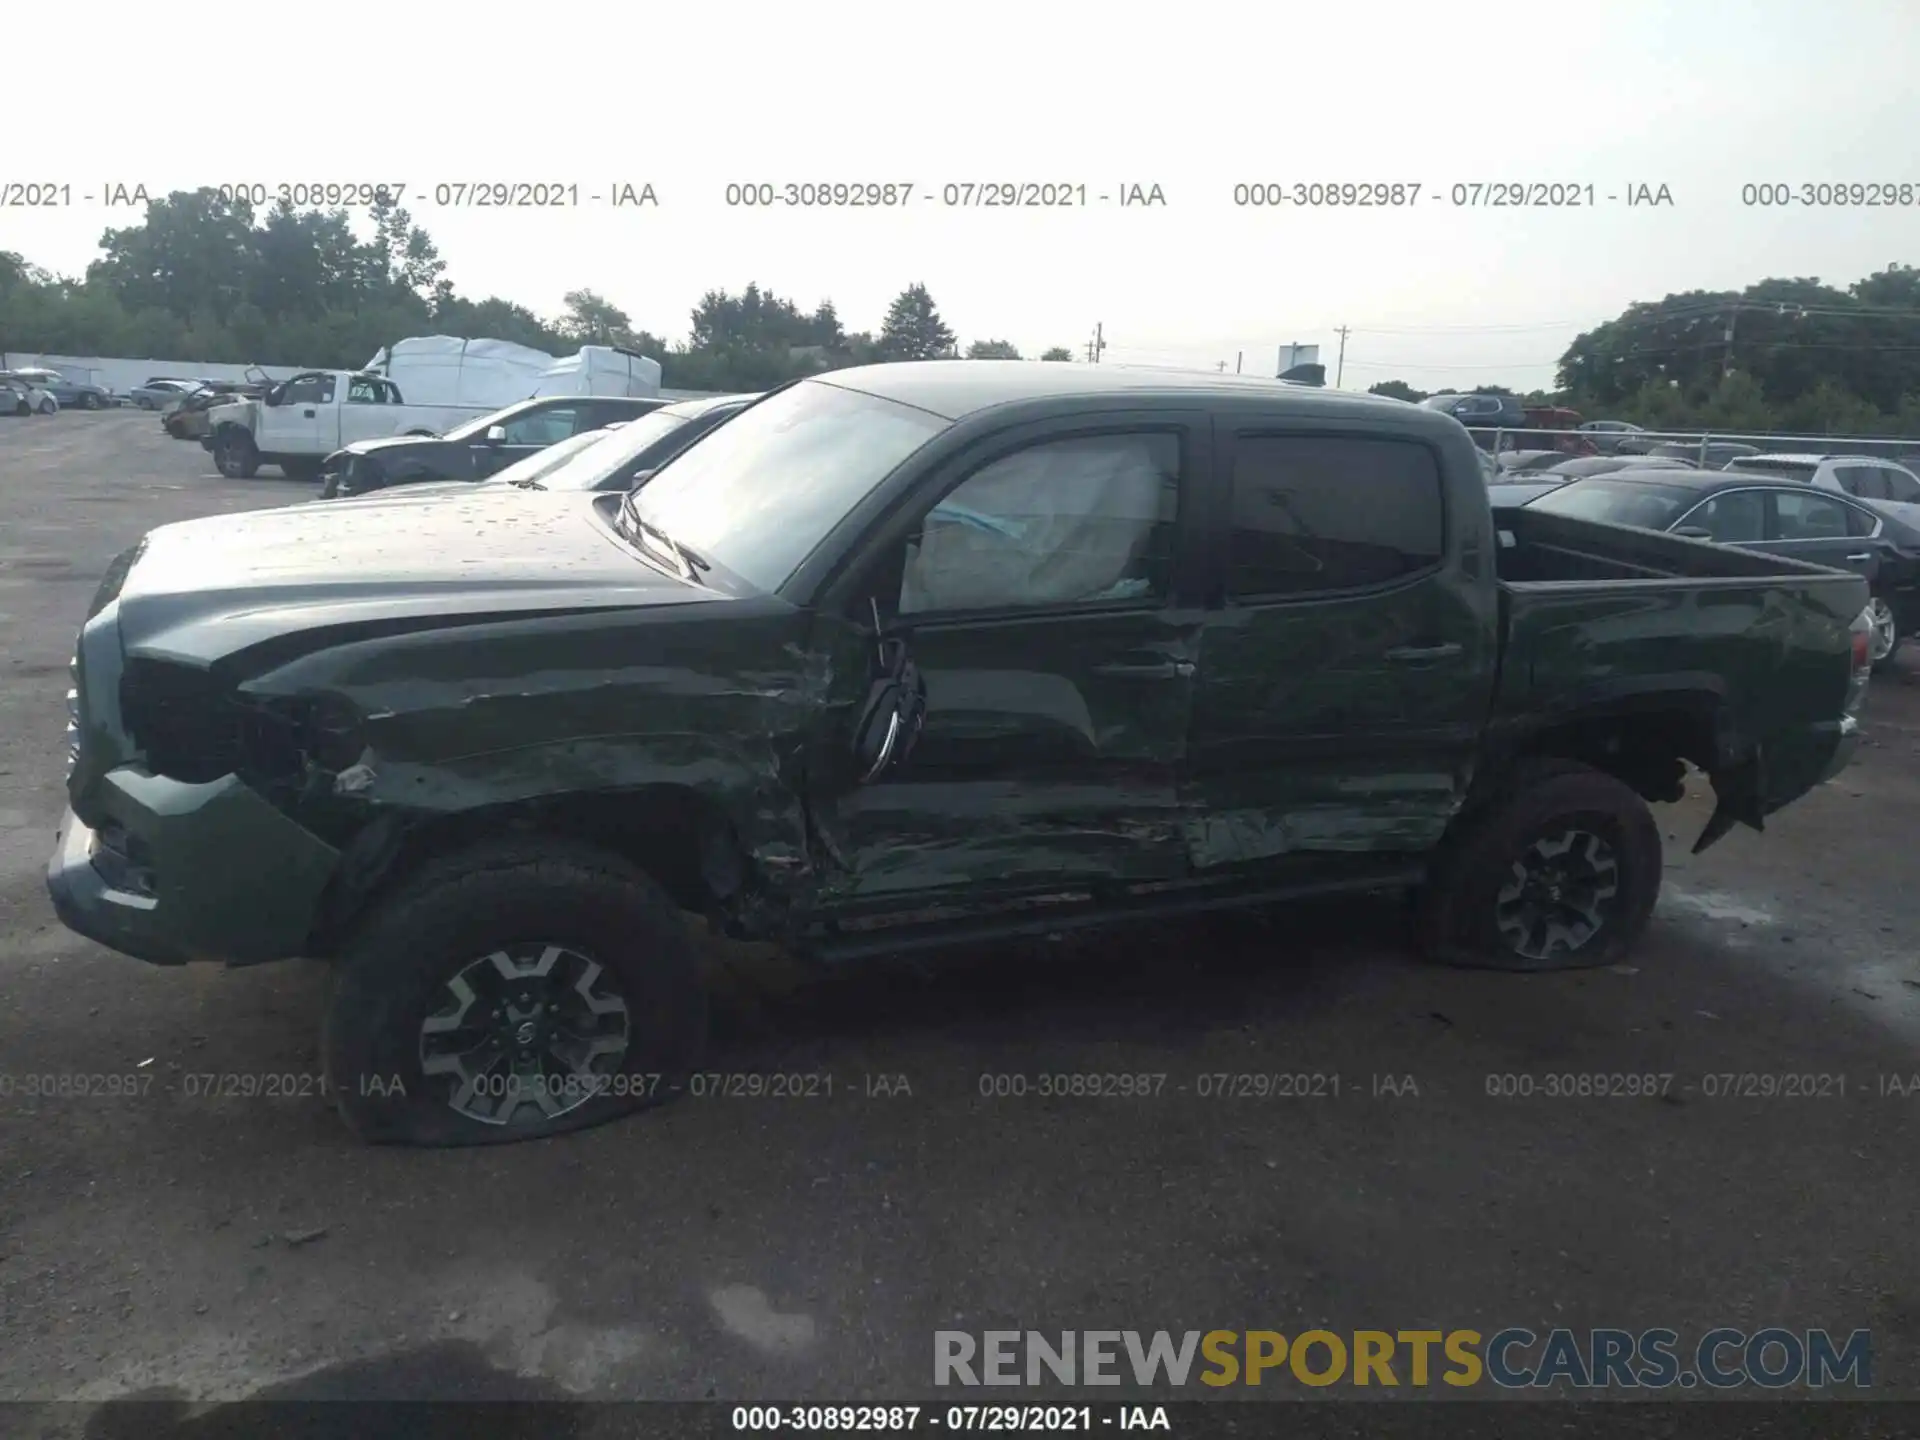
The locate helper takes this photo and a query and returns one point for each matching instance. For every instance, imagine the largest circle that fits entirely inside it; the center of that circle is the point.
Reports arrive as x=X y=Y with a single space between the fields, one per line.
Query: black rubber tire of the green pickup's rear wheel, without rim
x=1456 y=913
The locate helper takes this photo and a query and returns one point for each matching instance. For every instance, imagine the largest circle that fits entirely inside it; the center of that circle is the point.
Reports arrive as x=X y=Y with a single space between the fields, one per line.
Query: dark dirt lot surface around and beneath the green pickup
x=809 y=1249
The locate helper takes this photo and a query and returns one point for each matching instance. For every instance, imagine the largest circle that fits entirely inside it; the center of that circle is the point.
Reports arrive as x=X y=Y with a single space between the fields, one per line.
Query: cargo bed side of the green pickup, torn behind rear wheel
x=1604 y=619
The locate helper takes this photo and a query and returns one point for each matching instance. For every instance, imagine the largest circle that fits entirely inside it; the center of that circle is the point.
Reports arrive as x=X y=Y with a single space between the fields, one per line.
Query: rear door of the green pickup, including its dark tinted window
x=1347 y=667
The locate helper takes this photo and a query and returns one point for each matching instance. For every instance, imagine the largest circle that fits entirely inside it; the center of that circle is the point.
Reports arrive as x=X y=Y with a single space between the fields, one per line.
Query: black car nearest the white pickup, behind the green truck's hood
x=473 y=450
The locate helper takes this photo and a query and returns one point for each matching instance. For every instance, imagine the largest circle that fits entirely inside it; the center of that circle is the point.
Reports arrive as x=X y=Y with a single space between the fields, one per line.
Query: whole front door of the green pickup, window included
x=1045 y=596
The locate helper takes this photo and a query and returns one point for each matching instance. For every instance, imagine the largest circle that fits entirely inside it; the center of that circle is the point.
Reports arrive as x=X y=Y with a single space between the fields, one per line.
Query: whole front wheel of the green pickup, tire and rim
x=514 y=992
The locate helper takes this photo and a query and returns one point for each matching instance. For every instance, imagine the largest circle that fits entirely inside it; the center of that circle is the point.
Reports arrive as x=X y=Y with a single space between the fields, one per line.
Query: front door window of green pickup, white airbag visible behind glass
x=1063 y=523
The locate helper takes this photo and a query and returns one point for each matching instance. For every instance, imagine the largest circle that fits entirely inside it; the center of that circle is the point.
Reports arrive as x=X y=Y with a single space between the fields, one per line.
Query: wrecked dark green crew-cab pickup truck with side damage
x=905 y=656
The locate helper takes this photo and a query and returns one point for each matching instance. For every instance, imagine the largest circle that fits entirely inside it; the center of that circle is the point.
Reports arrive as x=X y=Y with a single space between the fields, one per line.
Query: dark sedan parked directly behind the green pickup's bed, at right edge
x=1773 y=516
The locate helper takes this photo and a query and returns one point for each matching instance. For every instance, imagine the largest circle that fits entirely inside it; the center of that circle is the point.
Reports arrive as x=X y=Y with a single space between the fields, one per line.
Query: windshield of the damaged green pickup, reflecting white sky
x=767 y=487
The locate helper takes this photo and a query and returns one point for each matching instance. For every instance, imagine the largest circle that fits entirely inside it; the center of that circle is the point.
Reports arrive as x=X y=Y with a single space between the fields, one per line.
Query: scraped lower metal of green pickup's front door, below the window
x=1051 y=756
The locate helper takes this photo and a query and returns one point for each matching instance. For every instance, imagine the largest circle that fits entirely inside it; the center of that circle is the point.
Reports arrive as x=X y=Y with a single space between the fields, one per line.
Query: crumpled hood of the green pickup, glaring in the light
x=208 y=588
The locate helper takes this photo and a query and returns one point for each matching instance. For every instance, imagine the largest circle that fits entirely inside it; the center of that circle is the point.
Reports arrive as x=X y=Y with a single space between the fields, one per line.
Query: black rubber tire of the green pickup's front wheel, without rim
x=464 y=907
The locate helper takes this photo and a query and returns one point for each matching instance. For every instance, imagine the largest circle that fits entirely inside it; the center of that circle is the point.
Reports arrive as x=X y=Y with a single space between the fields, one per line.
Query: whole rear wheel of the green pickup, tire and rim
x=1558 y=873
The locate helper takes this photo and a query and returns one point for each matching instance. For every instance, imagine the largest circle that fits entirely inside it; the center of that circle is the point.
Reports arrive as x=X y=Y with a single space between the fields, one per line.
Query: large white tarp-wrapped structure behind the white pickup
x=492 y=373
